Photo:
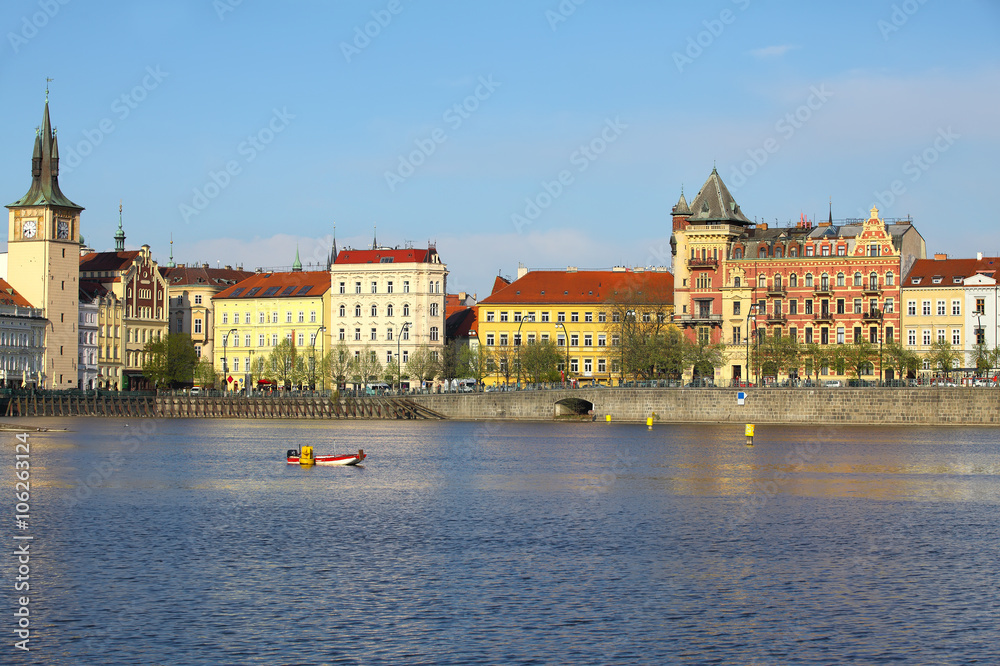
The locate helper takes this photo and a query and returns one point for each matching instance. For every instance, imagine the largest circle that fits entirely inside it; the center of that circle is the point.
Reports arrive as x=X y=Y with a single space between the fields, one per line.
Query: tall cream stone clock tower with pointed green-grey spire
x=43 y=258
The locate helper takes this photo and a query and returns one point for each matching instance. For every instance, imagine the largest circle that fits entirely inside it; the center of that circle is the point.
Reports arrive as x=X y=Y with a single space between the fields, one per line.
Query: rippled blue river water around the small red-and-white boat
x=462 y=543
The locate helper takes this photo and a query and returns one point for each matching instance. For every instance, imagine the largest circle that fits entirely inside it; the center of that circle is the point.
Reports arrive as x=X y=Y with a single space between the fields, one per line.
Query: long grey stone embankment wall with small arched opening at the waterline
x=928 y=406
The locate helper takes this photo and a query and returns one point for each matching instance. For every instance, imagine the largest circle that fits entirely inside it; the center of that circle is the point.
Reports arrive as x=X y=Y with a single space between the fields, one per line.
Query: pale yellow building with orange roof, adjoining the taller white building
x=253 y=316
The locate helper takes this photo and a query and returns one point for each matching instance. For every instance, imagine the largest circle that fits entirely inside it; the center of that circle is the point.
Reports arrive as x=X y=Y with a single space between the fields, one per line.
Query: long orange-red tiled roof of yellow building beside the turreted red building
x=583 y=287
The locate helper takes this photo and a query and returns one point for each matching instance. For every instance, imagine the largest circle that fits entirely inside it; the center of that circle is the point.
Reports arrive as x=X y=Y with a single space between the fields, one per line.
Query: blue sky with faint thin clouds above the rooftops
x=545 y=133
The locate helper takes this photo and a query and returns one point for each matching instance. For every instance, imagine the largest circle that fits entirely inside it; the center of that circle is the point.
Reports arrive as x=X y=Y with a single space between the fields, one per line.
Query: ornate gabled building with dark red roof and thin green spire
x=134 y=278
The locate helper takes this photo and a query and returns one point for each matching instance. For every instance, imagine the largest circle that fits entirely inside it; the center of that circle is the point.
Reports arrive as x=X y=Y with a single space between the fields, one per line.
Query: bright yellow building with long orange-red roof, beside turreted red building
x=578 y=310
